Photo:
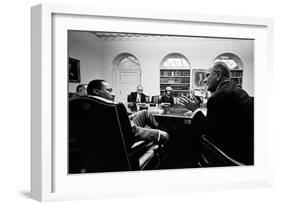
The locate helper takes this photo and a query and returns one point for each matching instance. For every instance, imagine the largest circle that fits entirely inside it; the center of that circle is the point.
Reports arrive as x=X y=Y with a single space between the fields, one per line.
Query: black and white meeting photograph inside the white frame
x=136 y=105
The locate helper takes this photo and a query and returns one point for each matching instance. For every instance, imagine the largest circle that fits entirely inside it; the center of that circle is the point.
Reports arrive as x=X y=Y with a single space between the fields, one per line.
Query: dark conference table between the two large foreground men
x=176 y=121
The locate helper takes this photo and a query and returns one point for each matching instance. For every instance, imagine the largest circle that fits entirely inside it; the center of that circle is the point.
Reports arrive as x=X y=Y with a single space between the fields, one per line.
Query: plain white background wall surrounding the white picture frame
x=15 y=102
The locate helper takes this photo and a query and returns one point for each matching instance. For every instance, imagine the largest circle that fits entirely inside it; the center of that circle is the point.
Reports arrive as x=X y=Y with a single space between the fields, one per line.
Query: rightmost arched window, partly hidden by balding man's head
x=235 y=66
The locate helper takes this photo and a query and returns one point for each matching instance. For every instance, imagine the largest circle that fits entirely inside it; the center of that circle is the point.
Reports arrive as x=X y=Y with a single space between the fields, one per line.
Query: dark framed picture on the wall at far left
x=73 y=70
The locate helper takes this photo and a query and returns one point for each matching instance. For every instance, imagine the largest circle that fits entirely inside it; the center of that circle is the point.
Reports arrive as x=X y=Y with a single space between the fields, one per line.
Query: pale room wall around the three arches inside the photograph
x=200 y=52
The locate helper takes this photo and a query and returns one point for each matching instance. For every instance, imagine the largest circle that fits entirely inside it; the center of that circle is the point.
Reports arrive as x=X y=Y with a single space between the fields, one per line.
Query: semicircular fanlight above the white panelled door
x=126 y=61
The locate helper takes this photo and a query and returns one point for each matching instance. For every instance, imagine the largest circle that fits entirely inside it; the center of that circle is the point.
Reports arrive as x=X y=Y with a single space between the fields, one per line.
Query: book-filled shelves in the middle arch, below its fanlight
x=178 y=79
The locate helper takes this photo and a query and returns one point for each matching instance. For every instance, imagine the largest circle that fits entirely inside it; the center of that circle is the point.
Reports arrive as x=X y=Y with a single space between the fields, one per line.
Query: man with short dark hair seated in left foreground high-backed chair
x=102 y=90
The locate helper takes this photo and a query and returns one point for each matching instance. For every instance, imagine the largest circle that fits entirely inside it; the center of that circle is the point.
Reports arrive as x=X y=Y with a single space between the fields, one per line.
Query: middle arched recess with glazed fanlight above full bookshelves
x=175 y=72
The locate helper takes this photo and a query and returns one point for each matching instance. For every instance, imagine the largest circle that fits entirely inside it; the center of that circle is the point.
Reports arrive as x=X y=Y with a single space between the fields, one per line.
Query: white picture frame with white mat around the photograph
x=49 y=179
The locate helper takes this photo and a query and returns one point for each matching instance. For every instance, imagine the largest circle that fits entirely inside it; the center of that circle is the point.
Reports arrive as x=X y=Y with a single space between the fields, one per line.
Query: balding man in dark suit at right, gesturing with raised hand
x=230 y=115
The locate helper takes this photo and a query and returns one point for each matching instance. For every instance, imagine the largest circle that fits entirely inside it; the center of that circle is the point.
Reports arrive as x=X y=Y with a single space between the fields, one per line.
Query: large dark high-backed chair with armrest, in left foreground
x=103 y=134
